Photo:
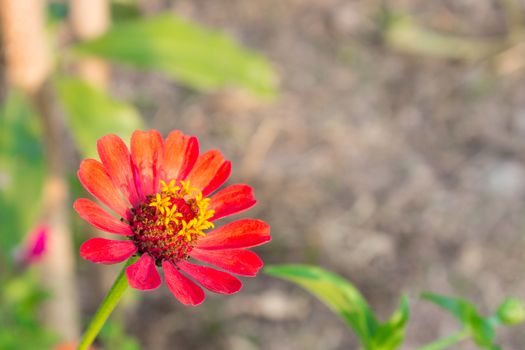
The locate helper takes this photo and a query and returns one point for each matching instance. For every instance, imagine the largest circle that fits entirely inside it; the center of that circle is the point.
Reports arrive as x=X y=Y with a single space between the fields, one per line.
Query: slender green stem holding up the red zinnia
x=110 y=302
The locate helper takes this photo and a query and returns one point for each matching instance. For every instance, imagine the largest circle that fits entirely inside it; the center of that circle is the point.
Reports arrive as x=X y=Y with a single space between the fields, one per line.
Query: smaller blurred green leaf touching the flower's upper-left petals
x=92 y=113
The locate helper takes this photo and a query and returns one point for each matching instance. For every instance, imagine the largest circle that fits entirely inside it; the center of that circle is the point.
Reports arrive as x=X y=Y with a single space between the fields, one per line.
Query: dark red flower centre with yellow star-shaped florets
x=168 y=223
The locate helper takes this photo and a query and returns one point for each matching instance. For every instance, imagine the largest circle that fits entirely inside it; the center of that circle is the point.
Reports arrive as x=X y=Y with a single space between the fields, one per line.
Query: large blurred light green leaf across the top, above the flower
x=201 y=58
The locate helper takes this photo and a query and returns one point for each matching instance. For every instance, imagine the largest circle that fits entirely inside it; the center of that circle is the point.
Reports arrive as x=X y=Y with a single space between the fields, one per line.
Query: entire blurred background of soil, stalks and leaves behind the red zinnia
x=385 y=141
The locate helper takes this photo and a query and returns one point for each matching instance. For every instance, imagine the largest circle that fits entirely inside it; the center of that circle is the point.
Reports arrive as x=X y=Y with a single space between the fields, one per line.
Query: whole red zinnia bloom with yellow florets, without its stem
x=160 y=191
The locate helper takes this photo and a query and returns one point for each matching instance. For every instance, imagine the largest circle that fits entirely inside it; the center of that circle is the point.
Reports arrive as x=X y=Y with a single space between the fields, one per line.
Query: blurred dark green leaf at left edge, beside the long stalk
x=21 y=170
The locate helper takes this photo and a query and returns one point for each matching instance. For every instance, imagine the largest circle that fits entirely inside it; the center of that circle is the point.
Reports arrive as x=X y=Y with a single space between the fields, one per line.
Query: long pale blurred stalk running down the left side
x=27 y=68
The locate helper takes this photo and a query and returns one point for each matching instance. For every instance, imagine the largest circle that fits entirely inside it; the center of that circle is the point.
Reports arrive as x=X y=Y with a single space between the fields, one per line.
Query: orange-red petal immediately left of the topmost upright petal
x=116 y=158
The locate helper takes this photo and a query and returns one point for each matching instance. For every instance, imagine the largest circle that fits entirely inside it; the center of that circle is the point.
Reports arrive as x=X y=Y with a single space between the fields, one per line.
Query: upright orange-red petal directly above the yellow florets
x=180 y=154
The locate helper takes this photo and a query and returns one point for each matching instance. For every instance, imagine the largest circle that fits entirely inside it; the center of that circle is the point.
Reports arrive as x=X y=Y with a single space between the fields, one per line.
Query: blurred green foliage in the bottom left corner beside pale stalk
x=20 y=298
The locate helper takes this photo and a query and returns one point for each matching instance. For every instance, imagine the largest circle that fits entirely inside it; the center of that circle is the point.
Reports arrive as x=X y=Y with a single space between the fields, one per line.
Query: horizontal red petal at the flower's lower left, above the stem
x=107 y=251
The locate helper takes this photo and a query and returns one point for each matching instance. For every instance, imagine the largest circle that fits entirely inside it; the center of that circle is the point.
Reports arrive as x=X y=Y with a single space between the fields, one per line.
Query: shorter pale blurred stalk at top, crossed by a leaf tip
x=90 y=19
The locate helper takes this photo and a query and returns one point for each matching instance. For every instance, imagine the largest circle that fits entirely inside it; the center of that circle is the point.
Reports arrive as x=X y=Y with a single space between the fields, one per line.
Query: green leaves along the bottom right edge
x=346 y=300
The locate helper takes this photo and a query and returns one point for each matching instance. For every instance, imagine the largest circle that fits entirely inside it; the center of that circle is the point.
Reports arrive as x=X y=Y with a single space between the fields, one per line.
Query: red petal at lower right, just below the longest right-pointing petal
x=238 y=261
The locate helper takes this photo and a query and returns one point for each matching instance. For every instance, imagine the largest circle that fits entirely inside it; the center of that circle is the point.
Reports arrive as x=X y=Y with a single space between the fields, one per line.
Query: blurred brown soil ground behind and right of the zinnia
x=400 y=172
